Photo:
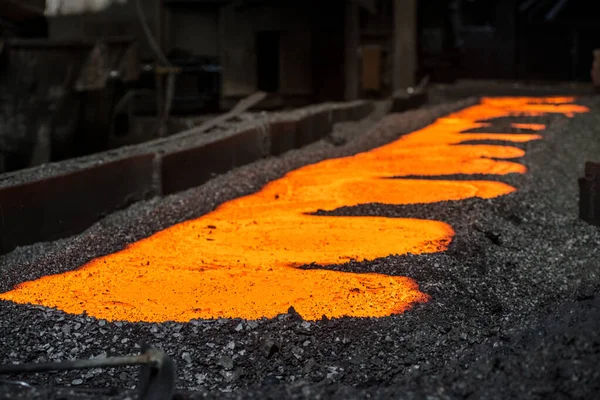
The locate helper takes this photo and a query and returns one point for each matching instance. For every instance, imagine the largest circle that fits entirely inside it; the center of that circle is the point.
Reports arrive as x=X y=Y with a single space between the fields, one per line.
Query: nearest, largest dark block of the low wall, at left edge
x=60 y=206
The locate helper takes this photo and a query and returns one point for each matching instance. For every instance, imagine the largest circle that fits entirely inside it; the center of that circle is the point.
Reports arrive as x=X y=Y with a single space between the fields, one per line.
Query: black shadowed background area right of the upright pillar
x=542 y=40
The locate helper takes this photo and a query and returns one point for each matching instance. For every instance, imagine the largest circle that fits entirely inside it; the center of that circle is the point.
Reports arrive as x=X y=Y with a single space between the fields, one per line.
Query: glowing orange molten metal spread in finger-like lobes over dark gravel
x=241 y=260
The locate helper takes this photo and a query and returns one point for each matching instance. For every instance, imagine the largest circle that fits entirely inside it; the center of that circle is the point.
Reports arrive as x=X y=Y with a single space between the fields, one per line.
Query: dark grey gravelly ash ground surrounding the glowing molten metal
x=515 y=310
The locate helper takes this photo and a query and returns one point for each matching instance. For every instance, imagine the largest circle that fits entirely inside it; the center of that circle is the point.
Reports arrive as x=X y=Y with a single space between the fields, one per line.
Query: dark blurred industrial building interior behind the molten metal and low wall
x=113 y=72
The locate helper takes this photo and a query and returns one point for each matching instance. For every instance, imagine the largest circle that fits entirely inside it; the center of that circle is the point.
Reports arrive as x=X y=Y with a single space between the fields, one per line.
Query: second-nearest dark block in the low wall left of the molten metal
x=191 y=167
